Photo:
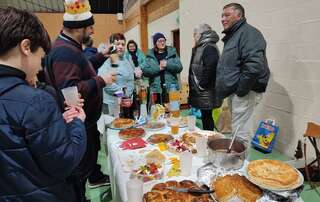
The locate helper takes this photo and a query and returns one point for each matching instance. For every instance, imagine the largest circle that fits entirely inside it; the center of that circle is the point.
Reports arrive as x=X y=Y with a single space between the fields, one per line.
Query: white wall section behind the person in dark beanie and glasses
x=165 y=25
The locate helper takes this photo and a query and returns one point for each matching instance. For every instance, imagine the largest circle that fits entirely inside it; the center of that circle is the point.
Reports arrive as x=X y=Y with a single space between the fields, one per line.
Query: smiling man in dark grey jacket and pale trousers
x=242 y=72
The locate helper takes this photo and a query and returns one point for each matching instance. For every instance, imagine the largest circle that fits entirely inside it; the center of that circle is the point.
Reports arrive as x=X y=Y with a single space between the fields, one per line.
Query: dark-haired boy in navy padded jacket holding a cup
x=38 y=149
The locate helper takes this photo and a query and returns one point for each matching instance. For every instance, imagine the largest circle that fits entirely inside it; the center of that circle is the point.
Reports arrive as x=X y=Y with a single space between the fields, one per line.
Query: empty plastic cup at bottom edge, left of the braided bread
x=134 y=190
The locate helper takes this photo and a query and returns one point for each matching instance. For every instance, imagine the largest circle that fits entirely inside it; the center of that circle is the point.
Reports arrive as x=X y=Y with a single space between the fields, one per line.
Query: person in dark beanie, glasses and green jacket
x=162 y=64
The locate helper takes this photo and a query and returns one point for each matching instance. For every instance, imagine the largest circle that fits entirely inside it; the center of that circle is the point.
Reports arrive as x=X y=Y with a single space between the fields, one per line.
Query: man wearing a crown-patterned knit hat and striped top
x=68 y=66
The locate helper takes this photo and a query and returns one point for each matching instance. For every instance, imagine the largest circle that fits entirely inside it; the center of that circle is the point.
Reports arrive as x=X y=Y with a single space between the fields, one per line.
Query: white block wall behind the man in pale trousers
x=292 y=30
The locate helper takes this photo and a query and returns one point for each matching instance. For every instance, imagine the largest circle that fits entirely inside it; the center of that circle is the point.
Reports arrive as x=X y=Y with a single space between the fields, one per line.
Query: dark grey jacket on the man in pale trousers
x=243 y=64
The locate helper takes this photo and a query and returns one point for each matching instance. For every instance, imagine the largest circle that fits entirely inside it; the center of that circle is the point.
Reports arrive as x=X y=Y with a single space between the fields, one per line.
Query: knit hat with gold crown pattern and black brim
x=77 y=14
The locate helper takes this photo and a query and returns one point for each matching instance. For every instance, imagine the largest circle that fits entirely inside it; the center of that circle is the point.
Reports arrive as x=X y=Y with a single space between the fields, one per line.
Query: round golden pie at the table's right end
x=273 y=174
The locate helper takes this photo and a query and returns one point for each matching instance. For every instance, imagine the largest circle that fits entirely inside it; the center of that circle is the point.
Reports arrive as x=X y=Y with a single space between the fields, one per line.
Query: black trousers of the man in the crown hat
x=88 y=167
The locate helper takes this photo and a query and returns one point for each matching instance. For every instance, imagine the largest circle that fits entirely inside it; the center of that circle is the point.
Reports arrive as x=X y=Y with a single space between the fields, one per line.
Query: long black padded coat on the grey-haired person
x=202 y=72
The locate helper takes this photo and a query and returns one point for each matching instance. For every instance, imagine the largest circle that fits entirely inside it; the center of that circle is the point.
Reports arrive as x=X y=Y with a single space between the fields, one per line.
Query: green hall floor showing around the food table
x=103 y=194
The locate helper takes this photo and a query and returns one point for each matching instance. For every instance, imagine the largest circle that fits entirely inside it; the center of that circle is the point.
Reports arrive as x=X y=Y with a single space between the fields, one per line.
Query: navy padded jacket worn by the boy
x=38 y=150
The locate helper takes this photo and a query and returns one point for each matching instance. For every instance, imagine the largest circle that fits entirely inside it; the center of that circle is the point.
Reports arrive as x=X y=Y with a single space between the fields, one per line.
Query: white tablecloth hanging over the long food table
x=119 y=172
